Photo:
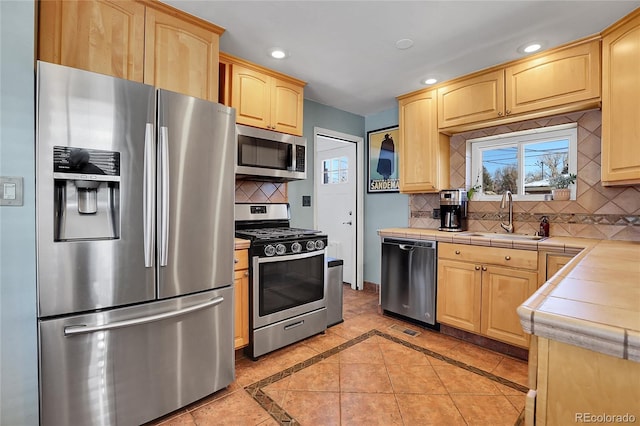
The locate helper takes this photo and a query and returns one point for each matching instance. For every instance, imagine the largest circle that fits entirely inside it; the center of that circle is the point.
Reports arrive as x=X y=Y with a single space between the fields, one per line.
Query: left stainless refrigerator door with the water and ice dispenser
x=90 y=224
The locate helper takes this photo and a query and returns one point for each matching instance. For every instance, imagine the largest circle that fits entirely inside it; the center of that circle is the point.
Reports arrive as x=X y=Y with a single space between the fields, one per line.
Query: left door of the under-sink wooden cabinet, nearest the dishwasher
x=459 y=294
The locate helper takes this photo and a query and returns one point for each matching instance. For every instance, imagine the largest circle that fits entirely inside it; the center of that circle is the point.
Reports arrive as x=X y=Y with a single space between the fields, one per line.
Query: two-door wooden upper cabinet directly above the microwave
x=264 y=98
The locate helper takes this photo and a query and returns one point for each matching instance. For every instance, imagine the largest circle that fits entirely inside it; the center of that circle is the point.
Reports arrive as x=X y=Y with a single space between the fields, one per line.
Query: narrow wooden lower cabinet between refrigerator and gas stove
x=241 y=288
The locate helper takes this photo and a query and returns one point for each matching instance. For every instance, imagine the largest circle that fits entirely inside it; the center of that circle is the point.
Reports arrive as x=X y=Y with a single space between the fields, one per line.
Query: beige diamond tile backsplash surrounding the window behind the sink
x=598 y=212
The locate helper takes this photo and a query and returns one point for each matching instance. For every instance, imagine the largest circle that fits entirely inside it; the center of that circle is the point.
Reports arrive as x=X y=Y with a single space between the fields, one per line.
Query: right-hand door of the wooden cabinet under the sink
x=503 y=290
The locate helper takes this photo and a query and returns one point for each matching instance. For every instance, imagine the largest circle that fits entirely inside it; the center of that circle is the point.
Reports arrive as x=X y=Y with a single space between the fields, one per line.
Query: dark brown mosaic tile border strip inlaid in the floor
x=279 y=414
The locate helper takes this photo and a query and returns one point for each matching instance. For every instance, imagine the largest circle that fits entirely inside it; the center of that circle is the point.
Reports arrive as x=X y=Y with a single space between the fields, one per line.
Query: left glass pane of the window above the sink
x=500 y=170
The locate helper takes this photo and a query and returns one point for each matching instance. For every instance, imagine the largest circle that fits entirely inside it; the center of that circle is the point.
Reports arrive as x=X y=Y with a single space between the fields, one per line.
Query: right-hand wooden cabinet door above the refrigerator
x=180 y=56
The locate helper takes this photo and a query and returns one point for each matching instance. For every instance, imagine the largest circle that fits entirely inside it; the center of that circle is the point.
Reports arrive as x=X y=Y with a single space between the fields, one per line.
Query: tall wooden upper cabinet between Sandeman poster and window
x=423 y=152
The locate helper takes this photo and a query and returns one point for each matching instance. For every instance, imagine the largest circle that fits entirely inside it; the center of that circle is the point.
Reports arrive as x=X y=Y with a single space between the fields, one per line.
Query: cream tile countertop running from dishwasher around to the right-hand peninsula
x=593 y=302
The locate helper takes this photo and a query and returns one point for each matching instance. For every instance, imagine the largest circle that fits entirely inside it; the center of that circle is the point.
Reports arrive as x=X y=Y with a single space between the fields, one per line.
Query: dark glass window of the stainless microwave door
x=256 y=152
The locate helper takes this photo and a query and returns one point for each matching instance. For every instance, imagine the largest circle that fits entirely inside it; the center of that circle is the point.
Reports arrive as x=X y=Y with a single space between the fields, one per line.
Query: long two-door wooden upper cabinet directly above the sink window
x=561 y=80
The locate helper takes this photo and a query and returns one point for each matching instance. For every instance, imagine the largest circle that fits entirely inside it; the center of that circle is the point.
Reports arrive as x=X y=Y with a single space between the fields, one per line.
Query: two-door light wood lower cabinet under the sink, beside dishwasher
x=479 y=294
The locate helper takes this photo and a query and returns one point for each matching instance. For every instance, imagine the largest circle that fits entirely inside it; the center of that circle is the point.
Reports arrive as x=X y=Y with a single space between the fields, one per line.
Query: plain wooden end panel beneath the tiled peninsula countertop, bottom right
x=574 y=385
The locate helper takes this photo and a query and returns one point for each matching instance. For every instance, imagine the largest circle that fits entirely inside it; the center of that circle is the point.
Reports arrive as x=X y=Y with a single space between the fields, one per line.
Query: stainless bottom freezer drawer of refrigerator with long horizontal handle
x=130 y=366
